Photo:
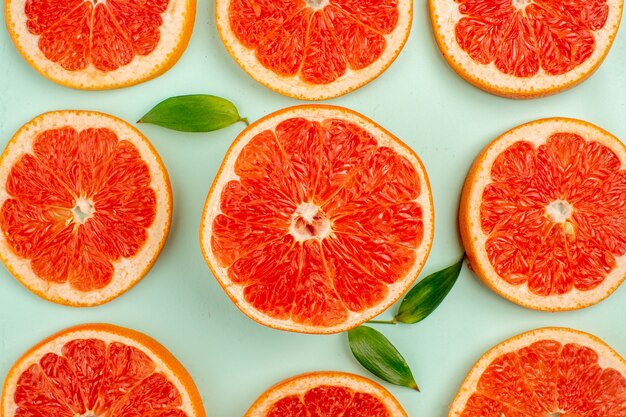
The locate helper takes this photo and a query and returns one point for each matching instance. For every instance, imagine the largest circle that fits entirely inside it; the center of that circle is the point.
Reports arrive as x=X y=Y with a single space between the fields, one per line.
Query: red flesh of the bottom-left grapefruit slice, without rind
x=95 y=377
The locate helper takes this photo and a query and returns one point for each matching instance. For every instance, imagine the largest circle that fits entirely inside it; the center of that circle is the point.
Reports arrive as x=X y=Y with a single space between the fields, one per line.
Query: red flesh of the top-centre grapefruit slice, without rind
x=318 y=40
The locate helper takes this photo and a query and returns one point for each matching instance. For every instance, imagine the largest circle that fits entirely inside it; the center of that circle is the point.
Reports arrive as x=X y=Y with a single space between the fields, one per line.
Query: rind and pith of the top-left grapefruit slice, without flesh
x=178 y=21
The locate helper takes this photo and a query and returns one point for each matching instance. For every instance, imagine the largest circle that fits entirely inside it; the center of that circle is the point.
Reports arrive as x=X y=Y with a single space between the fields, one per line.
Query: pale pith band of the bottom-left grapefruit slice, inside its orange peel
x=55 y=346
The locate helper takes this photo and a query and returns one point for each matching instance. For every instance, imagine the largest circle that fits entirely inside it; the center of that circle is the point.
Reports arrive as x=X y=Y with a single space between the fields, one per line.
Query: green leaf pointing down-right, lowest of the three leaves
x=374 y=351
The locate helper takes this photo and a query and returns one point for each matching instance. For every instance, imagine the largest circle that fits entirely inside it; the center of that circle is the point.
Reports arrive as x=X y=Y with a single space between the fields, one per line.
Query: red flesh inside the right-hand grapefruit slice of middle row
x=555 y=214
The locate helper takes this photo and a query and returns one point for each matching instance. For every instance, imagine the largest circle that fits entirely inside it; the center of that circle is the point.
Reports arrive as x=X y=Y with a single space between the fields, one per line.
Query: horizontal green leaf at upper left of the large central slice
x=193 y=113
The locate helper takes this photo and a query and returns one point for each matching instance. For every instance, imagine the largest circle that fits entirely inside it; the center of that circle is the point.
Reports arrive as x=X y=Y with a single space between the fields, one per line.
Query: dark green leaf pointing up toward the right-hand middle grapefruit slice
x=426 y=296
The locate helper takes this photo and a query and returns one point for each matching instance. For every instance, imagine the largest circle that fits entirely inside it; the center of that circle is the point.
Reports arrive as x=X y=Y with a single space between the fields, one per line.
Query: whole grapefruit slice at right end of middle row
x=543 y=214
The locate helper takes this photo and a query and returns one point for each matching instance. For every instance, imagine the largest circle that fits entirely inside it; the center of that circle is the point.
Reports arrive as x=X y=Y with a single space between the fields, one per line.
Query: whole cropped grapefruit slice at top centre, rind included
x=314 y=49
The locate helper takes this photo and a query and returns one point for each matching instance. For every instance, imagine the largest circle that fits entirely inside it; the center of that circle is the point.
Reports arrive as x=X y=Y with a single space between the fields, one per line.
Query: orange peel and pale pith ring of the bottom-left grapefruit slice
x=164 y=362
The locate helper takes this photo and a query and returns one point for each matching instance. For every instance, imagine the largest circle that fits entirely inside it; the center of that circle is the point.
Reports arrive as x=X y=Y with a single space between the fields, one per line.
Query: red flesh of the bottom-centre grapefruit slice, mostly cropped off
x=328 y=400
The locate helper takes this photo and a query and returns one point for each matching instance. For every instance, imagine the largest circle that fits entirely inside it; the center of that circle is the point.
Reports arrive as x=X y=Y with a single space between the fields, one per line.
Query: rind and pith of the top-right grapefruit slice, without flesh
x=444 y=17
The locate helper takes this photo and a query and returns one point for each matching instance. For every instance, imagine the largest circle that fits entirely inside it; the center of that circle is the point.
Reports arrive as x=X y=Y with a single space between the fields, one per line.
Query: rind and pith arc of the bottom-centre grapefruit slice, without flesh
x=300 y=384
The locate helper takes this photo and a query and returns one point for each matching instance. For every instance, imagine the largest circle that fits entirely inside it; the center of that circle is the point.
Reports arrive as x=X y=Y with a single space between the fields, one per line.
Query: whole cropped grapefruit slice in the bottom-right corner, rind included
x=546 y=372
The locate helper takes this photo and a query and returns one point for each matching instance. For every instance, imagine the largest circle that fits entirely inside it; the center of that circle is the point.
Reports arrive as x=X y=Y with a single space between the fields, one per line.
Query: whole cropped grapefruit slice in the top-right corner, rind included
x=525 y=48
